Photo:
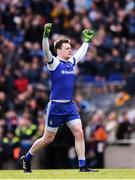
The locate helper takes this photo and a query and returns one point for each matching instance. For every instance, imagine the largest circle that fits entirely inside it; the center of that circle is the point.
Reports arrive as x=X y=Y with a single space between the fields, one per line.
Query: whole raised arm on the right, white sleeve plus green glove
x=88 y=35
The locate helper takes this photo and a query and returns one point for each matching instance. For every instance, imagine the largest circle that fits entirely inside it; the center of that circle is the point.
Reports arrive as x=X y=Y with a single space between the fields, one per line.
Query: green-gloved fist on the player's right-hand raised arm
x=88 y=35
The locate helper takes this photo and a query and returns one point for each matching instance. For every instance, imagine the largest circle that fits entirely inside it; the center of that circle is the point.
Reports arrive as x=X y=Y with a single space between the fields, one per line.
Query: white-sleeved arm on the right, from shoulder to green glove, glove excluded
x=81 y=52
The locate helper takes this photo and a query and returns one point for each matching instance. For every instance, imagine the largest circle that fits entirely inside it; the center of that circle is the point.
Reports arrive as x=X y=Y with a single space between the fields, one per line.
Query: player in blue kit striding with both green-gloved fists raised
x=61 y=108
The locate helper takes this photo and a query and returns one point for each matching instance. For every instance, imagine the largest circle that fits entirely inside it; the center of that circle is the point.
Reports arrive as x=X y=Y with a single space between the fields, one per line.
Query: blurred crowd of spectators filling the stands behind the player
x=24 y=78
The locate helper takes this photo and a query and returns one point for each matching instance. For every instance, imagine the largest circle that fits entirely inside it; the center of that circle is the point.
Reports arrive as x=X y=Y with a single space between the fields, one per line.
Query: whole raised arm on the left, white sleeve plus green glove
x=45 y=43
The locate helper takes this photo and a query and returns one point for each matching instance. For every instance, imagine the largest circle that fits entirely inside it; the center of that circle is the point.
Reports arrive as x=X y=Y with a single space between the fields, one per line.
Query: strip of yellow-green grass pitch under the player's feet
x=69 y=174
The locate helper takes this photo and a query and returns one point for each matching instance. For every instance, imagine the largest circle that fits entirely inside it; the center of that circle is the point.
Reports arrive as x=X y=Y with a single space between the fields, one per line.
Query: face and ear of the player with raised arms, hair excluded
x=65 y=52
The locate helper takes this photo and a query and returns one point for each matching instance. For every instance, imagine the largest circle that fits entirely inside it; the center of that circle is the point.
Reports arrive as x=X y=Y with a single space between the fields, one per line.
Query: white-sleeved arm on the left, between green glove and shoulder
x=46 y=50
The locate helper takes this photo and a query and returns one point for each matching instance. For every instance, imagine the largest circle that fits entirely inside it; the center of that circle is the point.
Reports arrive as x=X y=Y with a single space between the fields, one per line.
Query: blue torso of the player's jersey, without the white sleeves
x=62 y=79
